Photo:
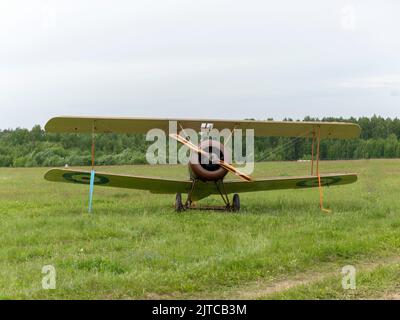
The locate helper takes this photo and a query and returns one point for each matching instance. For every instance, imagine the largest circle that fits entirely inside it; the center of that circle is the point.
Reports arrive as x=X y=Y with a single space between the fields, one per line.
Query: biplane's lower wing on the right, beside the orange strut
x=289 y=183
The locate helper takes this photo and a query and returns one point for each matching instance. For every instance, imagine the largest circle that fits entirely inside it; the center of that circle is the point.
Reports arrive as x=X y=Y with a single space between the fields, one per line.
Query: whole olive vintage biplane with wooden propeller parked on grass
x=205 y=179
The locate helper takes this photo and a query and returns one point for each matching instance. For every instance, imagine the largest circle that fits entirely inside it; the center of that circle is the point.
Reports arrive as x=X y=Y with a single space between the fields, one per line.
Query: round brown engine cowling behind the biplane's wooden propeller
x=209 y=170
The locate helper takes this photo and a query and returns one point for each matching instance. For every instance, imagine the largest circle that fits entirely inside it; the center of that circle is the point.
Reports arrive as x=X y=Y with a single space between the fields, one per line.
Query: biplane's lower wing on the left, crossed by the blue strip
x=154 y=185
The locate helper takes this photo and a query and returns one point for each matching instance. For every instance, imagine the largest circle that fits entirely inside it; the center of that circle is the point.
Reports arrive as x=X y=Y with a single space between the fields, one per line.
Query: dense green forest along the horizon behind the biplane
x=36 y=148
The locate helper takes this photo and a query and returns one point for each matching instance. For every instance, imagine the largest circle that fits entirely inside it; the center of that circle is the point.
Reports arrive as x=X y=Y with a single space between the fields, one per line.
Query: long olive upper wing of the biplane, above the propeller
x=337 y=130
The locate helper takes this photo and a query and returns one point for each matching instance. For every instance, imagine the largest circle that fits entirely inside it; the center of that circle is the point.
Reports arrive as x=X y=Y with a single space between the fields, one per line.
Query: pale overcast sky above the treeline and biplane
x=209 y=58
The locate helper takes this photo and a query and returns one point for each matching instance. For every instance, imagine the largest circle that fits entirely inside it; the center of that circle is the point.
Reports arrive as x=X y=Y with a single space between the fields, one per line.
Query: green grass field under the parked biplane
x=134 y=246
